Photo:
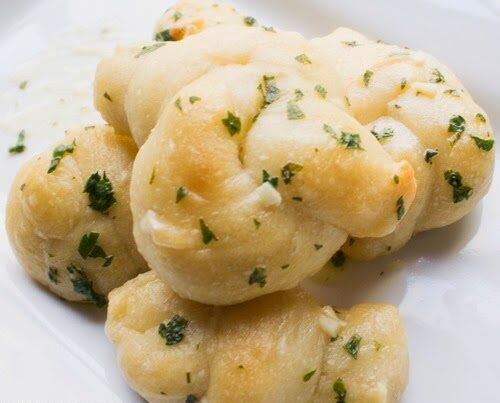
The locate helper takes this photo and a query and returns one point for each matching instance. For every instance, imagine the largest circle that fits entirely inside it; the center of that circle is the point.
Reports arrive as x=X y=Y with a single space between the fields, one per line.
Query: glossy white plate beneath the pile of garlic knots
x=445 y=282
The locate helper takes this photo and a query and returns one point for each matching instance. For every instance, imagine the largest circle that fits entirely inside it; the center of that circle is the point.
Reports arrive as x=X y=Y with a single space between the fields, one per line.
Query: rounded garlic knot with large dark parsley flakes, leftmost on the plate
x=78 y=244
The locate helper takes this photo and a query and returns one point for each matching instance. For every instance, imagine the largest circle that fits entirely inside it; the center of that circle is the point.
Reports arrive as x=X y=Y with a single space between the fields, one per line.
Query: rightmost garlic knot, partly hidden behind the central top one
x=422 y=114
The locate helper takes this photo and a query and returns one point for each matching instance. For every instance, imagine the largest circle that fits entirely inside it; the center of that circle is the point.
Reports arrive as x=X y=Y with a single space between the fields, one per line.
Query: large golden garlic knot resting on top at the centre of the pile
x=207 y=218
